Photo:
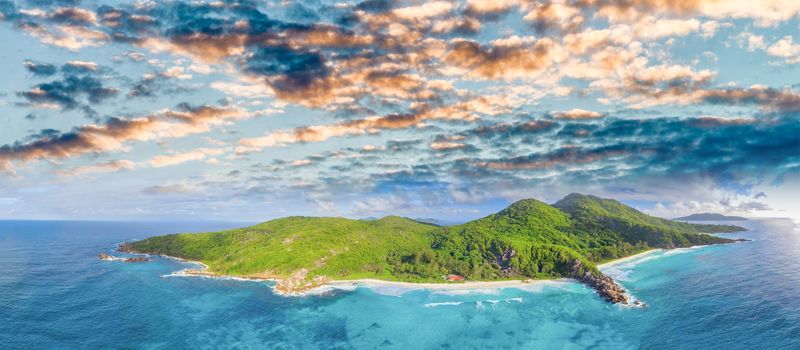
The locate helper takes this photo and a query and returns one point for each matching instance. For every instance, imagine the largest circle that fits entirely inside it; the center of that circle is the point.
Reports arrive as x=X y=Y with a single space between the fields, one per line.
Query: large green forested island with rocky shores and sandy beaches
x=527 y=240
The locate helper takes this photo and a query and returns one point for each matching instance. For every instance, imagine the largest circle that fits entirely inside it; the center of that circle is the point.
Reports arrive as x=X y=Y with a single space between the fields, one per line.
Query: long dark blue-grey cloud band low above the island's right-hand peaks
x=614 y=152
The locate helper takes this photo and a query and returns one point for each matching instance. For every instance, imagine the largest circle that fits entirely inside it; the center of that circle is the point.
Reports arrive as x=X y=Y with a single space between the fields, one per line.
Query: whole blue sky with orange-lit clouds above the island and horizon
x=252 y=110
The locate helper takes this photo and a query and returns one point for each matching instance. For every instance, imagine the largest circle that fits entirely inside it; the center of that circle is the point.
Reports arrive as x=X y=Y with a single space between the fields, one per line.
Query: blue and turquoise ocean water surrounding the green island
x=56 y=294
